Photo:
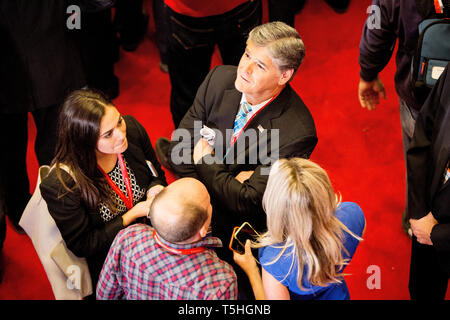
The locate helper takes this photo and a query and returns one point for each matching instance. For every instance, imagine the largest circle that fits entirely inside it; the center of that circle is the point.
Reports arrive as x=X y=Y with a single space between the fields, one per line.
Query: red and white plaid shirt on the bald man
x=138 y=268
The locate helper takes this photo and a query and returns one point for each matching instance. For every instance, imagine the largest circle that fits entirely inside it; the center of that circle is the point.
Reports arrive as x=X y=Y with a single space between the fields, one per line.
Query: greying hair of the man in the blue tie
x=285 y=45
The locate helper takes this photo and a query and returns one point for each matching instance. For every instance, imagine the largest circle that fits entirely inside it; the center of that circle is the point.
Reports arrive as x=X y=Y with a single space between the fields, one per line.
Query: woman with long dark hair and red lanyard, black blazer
x=103 y=176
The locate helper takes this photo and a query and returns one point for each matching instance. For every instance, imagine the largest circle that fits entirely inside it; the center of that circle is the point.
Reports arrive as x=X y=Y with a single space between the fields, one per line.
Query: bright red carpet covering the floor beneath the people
x=361 y=150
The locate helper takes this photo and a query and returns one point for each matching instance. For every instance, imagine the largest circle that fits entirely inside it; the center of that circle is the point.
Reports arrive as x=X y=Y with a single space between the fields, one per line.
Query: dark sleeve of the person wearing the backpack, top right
x=377 y=43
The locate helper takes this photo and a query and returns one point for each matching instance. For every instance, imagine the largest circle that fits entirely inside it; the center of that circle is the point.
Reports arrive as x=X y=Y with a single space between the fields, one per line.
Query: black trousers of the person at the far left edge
x=15 y=186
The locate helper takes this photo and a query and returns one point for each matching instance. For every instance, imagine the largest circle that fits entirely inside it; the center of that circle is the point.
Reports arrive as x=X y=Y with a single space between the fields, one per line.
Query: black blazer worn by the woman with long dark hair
x=83 y=230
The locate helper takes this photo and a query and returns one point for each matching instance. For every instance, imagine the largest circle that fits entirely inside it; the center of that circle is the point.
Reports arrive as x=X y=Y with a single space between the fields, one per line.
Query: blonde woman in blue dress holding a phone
x=311 y=236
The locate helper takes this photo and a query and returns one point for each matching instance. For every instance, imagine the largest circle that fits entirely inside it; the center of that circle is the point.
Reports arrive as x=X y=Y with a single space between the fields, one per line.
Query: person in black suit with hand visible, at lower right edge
x=429 y=195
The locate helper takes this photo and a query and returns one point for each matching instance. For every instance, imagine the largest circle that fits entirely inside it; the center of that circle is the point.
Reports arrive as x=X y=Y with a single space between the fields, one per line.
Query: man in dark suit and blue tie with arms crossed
x=257 y=118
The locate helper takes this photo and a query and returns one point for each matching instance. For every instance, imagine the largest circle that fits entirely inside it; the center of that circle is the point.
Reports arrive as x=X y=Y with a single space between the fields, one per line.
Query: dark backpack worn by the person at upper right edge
x=433 y=47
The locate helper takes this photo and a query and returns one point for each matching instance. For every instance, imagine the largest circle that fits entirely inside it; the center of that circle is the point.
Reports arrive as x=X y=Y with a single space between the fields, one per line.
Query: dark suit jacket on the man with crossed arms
x=215 y=105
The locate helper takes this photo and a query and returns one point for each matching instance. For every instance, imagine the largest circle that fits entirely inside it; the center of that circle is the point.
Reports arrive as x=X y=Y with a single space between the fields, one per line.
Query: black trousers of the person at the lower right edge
x=427 y=281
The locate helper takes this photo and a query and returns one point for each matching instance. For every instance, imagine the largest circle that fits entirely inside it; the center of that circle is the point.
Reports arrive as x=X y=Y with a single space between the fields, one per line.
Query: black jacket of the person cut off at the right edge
x=427 y=159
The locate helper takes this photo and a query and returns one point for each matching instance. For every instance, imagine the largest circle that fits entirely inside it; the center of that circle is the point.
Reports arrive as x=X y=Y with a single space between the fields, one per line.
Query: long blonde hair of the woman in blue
x=300 y=203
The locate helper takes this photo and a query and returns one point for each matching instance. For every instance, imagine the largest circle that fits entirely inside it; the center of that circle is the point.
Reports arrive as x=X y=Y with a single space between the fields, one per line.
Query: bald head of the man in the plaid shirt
x=181 y=210
